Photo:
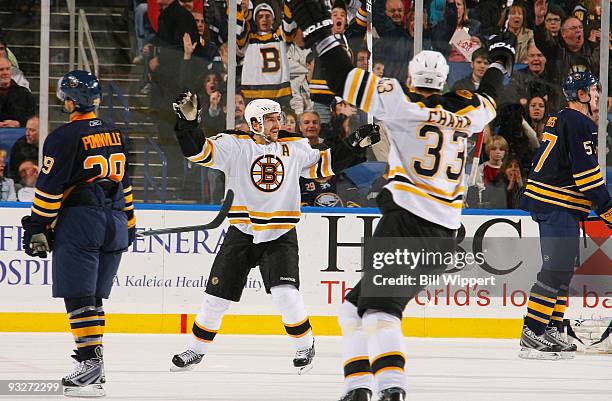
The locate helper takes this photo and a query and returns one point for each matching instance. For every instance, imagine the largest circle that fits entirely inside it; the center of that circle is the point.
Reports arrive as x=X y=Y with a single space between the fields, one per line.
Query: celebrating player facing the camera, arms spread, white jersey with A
x=263 y=169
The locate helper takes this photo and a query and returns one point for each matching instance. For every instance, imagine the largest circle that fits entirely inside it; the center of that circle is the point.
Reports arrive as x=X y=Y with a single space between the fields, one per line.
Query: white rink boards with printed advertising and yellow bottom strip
x=161 y=279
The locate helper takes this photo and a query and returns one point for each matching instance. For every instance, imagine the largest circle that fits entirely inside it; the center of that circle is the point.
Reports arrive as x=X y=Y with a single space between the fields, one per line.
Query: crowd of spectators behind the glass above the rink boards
x=183 y=44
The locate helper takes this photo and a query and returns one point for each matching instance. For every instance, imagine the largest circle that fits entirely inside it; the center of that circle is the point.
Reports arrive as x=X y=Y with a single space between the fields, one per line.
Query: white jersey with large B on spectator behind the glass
x=265 y=71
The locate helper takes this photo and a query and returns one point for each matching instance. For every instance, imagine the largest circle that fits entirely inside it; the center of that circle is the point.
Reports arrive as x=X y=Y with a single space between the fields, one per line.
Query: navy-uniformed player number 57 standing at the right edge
x=564 y=185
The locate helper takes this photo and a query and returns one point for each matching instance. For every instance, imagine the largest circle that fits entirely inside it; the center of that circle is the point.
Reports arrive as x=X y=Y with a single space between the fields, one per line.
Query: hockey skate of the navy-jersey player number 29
x=85 y=380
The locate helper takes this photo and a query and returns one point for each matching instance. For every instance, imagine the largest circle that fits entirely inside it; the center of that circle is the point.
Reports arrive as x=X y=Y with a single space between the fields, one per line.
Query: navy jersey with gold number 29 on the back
x=83 y=151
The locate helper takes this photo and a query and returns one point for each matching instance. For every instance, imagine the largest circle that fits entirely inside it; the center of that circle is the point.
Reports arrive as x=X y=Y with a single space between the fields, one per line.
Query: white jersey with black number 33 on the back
x=427 y=139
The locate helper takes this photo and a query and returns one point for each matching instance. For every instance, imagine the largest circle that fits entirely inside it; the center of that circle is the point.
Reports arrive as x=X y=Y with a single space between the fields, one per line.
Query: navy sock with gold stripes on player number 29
x=86 y=326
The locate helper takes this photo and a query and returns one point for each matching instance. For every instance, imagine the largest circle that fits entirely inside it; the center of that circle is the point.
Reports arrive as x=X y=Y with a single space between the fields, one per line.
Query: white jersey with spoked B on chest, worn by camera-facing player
x=265 y=179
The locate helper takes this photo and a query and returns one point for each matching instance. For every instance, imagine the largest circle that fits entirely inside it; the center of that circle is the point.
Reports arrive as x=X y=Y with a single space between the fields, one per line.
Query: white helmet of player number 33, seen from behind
x=428 y=69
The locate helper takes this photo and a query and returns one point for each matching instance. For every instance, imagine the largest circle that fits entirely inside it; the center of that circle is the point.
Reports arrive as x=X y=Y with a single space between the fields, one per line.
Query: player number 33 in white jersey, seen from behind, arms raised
x=423 y=199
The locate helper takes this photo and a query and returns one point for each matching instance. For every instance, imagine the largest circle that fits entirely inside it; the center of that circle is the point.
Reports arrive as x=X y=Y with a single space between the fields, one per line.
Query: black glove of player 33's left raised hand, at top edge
x=314 y=18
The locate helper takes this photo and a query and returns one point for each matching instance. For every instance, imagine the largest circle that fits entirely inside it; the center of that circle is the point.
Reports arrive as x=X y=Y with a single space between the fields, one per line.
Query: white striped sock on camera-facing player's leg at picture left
x=207 y=322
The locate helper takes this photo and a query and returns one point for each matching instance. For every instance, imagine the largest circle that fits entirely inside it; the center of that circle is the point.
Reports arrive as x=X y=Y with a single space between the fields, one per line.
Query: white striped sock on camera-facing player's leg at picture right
x=290 y=303
